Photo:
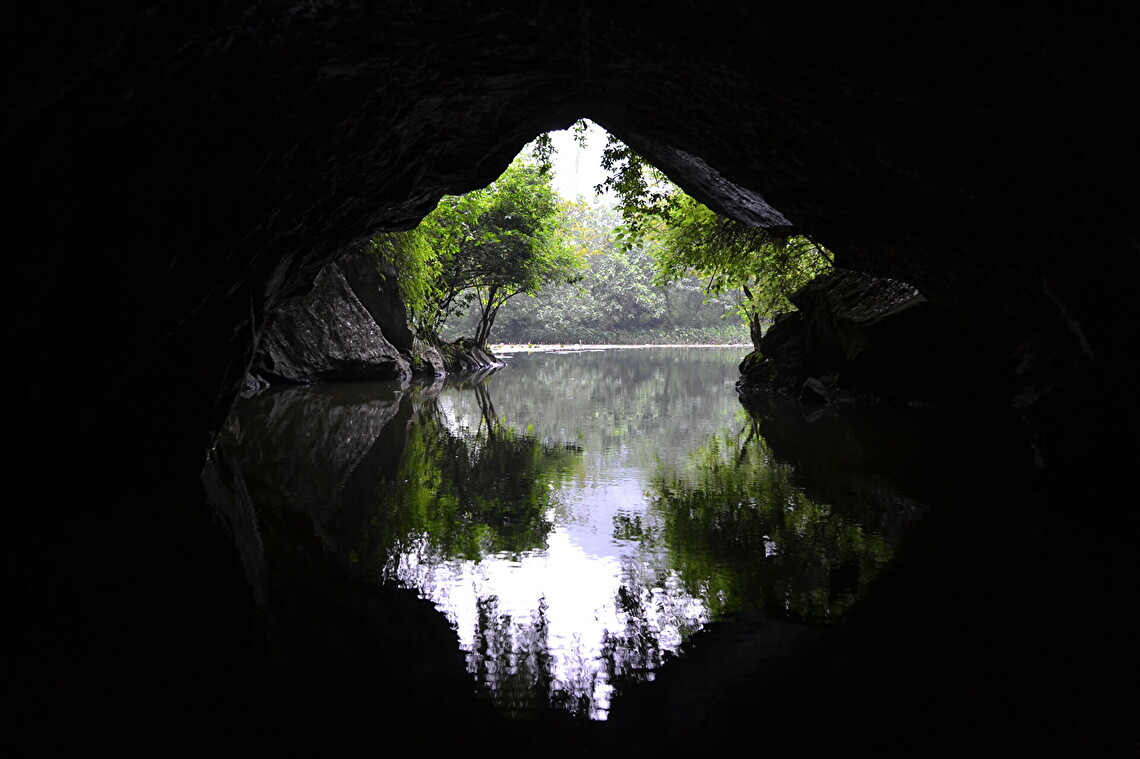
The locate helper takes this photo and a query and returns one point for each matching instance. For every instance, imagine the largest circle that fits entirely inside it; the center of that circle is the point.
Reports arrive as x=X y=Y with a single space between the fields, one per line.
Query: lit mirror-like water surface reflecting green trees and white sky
x=576 y=517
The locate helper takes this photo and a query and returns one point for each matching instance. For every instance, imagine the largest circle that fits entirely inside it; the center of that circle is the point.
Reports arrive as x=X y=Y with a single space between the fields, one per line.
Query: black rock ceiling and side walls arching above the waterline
x=177 y=169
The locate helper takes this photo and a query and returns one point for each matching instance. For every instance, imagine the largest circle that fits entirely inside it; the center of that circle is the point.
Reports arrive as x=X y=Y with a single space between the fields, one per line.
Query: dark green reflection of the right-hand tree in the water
x=742 y=533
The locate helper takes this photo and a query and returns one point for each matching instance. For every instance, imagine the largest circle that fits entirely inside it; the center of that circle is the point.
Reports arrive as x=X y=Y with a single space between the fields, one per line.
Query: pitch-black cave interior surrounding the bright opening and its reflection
x=176 y=170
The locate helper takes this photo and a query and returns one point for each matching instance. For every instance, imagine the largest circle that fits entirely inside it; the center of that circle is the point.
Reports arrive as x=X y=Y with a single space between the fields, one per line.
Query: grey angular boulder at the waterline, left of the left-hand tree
x=327 y=336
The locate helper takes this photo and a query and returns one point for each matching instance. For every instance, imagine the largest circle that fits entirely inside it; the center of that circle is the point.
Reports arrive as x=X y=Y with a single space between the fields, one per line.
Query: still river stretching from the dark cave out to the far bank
x=582 y=520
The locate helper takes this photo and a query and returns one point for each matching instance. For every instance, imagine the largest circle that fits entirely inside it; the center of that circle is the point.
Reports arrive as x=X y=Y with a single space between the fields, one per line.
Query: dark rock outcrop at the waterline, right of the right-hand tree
x=859 y=339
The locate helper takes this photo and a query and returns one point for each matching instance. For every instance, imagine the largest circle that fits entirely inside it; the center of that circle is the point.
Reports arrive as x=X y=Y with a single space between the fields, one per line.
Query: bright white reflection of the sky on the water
x=579 y=575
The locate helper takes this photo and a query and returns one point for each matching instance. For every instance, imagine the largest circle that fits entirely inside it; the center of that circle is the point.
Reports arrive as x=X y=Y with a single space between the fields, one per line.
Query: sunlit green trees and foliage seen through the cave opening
x=516 y=263
